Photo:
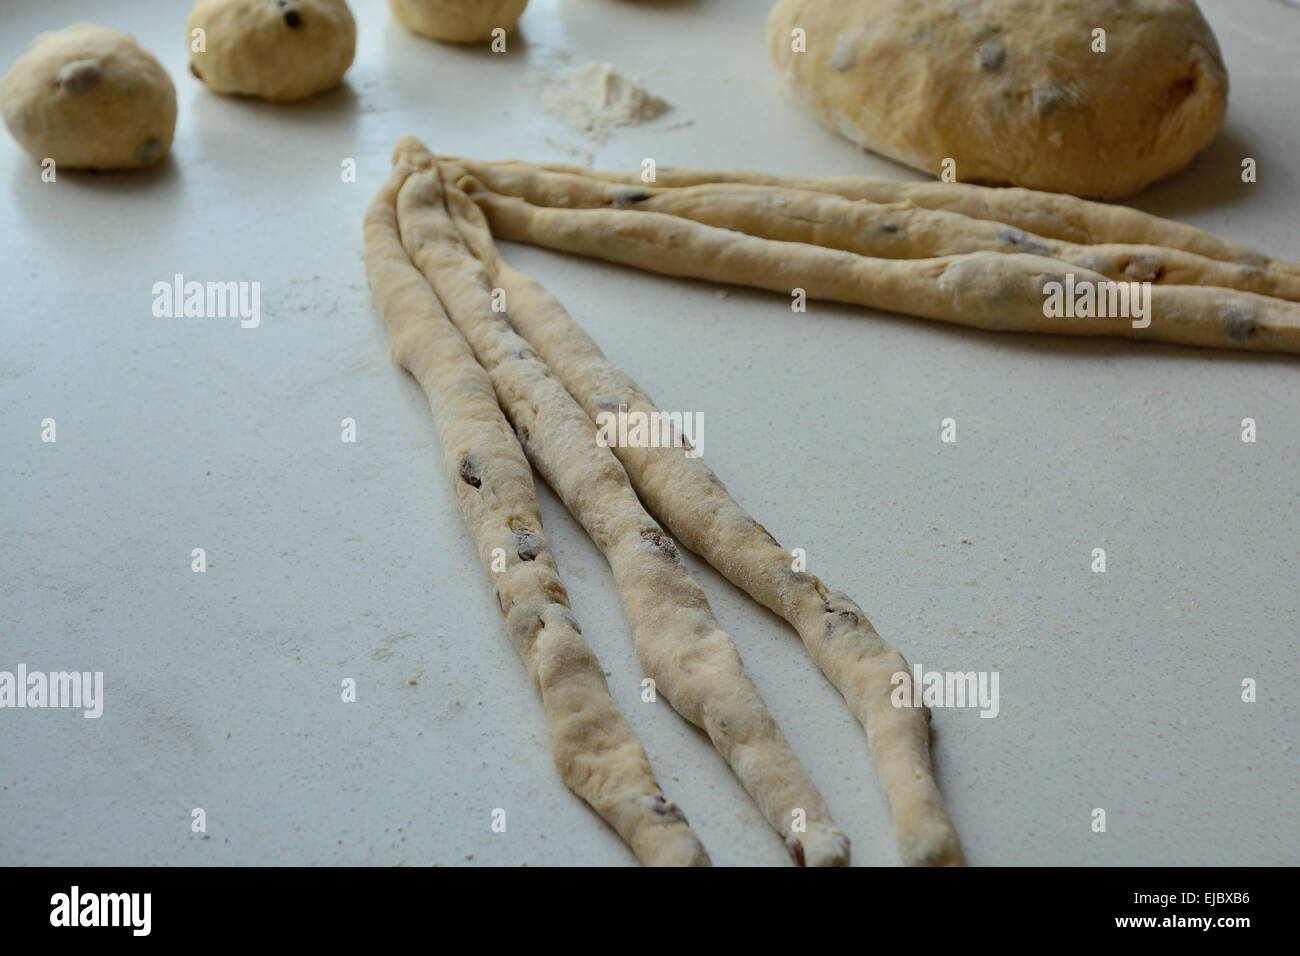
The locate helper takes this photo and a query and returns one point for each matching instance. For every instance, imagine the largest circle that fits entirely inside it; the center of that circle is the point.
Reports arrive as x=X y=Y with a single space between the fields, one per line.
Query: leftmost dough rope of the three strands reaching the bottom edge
x=595 y=749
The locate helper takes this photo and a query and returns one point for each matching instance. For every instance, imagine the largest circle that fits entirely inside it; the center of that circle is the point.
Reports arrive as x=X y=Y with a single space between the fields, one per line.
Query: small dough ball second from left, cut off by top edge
x=279 y=50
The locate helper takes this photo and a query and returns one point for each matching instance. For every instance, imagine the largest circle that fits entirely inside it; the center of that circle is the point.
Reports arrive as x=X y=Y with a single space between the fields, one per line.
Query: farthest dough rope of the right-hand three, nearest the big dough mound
x=1052 y=215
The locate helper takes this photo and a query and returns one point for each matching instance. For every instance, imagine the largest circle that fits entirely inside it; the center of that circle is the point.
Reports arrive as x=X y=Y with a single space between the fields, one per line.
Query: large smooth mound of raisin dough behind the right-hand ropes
x=1012 y=90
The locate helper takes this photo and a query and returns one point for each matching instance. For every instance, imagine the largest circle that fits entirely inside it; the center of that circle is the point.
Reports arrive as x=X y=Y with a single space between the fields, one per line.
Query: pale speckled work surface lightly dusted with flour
x=332 y=561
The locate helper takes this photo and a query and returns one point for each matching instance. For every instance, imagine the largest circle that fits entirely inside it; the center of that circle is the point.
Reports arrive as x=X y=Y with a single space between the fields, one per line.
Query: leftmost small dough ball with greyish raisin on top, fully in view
x=90 y=98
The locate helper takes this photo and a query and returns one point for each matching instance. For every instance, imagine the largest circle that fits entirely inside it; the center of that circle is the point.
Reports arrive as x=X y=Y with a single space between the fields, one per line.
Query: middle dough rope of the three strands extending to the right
x=889 y=231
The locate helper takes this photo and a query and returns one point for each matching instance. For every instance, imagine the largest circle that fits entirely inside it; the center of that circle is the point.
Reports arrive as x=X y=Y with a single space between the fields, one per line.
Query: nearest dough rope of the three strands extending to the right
x=989 y=291
